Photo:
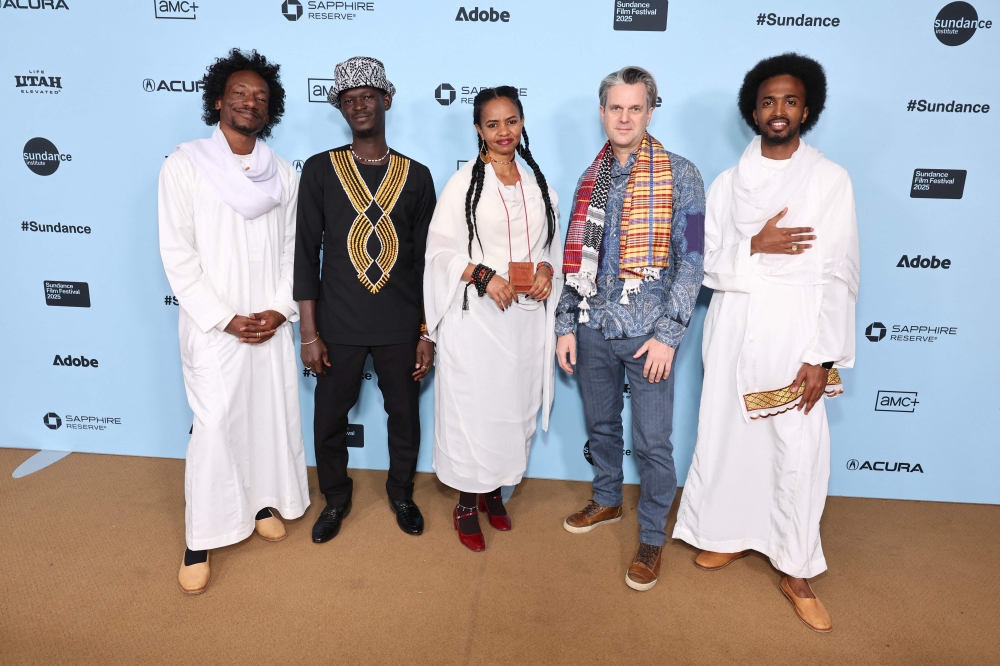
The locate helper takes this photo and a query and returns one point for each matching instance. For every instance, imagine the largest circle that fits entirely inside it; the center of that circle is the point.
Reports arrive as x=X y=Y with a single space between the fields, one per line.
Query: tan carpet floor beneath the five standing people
x=89 y=551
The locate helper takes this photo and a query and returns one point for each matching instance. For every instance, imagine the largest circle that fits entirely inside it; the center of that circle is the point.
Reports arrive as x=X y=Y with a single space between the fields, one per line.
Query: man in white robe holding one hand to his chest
x=781 y=253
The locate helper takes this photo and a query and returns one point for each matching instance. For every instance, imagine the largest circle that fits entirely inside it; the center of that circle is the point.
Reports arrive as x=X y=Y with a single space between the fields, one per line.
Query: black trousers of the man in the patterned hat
x=337 y=393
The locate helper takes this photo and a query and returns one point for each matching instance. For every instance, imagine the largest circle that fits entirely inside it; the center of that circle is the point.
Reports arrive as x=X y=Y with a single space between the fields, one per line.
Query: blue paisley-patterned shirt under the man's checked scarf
x=662 y=307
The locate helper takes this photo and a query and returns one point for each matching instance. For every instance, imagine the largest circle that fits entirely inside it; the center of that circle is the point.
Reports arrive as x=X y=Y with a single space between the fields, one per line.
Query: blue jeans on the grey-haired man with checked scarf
x=601 y=368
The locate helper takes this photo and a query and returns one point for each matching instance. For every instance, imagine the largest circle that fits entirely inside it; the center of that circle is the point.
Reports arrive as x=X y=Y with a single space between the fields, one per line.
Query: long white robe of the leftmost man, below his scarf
x=246 y=450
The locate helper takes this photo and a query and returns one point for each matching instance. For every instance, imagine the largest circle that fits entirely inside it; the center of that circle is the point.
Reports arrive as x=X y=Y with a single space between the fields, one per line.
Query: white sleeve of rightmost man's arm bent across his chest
x=728 y=262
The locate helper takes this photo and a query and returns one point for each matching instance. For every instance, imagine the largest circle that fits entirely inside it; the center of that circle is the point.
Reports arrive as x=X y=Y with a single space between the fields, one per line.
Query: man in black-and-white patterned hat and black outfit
x=367 y=208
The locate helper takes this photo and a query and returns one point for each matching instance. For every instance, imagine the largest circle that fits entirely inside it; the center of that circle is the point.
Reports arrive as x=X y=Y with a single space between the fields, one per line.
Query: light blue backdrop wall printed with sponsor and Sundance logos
x=108 y=89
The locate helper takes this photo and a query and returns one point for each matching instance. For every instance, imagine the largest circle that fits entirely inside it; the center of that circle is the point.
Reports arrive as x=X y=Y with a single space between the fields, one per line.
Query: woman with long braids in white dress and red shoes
x=491 y=282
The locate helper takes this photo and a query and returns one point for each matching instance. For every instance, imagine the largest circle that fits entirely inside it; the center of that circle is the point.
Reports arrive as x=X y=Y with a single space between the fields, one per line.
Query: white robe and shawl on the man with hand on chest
x=759 y=480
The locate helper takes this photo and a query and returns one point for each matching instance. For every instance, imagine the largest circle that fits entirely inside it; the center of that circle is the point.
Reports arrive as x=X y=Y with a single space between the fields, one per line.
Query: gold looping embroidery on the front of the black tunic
x=373 y=272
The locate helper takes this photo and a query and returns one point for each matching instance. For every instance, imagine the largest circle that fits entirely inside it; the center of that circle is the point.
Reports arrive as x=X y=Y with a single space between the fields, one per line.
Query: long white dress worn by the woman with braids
x=494 y=369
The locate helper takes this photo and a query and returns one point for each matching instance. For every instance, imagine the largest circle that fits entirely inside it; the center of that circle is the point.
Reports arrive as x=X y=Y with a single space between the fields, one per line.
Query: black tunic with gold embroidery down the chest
x=370 y=221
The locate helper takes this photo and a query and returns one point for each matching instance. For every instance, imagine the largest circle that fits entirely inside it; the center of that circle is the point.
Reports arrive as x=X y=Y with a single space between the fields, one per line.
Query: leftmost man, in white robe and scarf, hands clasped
x=227 y=209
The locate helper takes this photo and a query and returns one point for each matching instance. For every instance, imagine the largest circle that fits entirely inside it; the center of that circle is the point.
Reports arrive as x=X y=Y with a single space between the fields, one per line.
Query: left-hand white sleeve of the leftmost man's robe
x=181 y=260
